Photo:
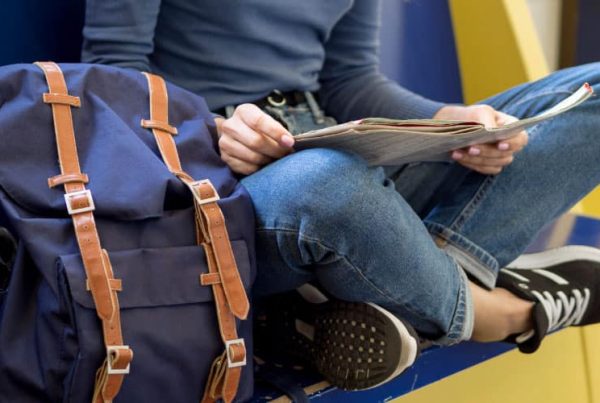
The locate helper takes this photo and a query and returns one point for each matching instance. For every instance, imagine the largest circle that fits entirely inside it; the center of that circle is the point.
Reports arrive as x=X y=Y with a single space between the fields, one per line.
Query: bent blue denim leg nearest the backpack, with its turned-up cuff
x=324 y=215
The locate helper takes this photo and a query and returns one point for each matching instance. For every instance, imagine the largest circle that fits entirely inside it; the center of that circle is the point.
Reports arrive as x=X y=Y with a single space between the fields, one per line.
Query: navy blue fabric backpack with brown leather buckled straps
x=135 y=248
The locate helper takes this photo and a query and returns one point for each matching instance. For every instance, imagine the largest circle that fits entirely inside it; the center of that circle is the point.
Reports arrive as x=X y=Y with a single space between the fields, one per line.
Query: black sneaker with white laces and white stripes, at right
x=564 y=283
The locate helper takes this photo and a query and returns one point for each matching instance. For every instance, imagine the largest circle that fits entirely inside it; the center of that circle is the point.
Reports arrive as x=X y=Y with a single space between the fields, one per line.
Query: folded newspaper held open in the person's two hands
x=395 y=142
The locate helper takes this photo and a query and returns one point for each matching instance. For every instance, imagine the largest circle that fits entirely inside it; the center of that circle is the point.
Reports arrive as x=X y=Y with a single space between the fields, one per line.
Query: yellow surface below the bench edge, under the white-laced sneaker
x=554 y=374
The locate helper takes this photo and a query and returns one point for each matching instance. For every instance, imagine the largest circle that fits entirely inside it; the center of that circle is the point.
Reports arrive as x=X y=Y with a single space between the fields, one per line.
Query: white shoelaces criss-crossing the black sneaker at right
x=563 y=310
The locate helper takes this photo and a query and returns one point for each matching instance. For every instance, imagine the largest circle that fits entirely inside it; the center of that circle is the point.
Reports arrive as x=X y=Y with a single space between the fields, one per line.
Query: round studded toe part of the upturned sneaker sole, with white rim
x=360 y=346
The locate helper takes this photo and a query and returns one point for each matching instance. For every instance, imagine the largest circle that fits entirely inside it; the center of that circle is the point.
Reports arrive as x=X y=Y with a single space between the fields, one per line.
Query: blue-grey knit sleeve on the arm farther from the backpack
x=351 y=85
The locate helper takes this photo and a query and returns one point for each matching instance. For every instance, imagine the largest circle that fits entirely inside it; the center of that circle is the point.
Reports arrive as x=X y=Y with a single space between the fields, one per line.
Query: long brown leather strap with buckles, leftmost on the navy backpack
x=80 y=205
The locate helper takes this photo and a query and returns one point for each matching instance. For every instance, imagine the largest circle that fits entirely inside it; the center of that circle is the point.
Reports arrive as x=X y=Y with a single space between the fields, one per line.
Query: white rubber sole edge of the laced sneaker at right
x=555 y=257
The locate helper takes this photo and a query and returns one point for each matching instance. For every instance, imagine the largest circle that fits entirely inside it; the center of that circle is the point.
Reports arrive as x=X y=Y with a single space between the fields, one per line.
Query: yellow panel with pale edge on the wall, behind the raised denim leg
x=497 y=46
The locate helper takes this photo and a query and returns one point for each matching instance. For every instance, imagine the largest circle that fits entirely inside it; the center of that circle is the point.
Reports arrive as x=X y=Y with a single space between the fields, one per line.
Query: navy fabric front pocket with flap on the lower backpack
x=168 y=319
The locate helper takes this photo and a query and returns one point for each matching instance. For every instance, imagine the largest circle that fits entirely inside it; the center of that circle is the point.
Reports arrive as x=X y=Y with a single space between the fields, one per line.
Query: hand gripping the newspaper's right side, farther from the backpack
x=488 y=158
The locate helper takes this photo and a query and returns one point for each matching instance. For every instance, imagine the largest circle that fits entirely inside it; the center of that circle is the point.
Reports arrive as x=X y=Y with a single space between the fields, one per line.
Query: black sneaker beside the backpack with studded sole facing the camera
x=354 y=345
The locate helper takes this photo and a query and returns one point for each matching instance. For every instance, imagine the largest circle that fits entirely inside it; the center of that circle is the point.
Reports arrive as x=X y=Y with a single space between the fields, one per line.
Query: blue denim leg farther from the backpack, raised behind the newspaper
x=490 y=220
